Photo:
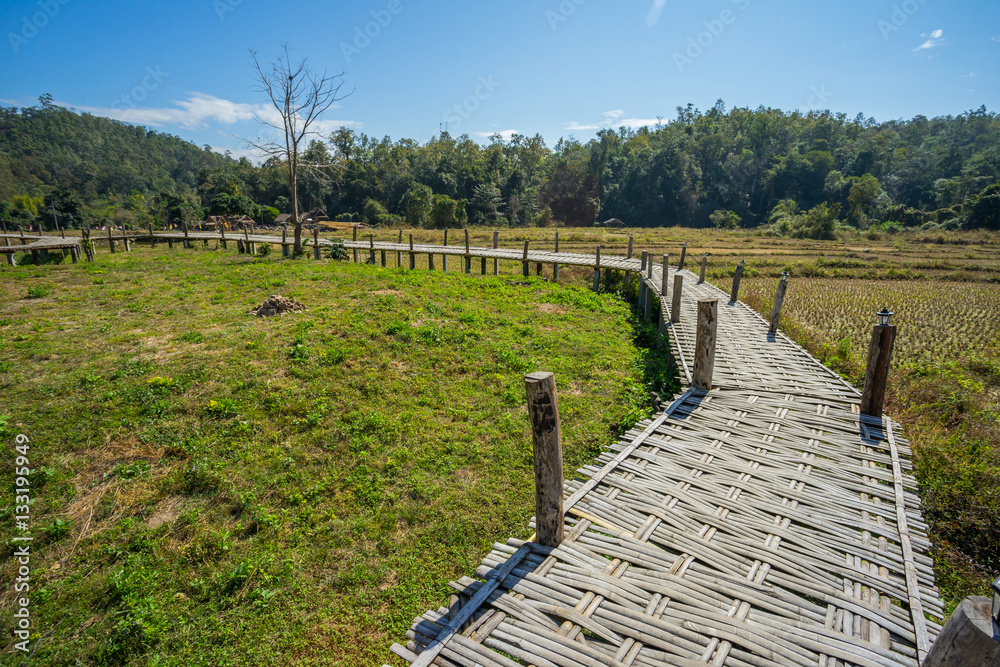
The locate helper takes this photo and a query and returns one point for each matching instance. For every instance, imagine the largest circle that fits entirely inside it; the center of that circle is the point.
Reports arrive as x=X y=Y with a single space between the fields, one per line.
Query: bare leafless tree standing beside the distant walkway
x=299 y=97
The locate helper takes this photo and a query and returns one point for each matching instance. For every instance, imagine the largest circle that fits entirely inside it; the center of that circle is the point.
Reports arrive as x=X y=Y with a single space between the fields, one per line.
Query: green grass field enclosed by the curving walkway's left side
x=213 y=488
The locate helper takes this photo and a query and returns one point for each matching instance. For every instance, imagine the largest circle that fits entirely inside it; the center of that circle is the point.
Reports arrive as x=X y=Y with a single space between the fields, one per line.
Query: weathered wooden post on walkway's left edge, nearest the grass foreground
x=543 y=410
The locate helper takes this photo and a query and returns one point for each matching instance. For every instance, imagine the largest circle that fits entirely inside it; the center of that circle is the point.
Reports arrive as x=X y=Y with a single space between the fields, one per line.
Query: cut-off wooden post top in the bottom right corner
x=968 y=638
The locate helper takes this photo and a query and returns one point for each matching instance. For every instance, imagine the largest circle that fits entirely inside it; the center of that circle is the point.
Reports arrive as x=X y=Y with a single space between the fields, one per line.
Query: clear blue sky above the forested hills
x=558 y=67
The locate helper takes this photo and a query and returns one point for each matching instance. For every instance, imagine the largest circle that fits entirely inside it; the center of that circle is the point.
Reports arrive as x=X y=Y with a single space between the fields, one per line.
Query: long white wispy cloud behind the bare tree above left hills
x=200 y=110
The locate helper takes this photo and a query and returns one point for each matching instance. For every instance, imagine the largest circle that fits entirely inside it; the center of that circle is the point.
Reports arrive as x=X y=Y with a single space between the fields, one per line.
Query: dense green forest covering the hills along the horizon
x=787 y=172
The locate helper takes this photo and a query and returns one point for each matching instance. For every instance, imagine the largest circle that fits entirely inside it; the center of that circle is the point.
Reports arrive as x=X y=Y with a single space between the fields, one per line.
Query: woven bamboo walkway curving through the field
x=763 y=523
